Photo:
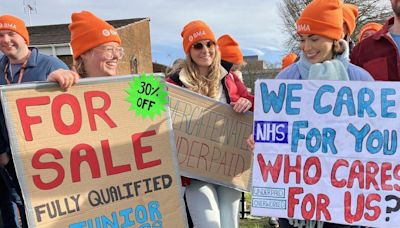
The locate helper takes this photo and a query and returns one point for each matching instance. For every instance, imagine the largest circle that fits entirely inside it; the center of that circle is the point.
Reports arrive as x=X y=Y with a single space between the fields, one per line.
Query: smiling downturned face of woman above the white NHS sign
x=316 y=49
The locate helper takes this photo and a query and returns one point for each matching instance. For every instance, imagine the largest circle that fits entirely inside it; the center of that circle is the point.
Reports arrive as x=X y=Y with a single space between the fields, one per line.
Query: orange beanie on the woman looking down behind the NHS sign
x=322 y=17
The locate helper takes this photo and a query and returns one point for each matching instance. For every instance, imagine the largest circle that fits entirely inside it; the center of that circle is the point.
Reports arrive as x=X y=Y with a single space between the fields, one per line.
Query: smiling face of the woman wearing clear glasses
x=102 y=60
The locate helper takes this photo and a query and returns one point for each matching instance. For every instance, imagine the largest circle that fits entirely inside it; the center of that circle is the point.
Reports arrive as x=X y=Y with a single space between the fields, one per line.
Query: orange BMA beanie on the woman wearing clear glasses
x=89 y=31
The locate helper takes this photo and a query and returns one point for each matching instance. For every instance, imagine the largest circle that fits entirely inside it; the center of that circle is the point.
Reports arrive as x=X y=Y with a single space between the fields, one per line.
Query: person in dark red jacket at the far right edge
x=379 y=54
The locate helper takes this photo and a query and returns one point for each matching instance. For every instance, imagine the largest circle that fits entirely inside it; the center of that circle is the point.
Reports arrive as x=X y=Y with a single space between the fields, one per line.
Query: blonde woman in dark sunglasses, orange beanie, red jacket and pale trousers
x=210 y=205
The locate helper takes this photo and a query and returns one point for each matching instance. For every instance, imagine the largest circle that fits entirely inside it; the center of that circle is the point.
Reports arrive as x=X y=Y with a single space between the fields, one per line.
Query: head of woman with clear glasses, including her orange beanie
x=96 y=45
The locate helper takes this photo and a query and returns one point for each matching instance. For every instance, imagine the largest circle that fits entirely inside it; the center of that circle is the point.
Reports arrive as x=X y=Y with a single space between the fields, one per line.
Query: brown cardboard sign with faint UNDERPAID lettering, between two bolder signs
x=211 y=139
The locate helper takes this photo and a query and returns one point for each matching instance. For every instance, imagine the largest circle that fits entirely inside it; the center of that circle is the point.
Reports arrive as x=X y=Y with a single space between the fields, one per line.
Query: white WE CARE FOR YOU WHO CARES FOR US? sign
x=327 y=150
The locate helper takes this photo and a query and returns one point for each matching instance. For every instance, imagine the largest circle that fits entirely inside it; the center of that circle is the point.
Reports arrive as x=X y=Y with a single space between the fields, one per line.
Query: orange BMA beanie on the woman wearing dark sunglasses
x=195 y=31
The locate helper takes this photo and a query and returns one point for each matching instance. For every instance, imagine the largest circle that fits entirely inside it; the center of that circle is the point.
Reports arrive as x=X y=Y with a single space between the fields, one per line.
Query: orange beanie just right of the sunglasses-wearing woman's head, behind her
x=230 y=50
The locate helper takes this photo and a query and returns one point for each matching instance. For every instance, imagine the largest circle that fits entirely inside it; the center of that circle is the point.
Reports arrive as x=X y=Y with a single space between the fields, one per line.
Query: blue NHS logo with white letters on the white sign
x=271 y=131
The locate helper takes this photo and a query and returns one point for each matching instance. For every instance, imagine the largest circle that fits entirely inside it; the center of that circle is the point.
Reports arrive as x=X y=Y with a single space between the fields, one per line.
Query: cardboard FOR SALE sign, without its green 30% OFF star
x=84 y=160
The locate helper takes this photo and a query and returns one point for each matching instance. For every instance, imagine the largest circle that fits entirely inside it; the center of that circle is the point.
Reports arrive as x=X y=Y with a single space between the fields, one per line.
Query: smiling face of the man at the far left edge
x=13 y=46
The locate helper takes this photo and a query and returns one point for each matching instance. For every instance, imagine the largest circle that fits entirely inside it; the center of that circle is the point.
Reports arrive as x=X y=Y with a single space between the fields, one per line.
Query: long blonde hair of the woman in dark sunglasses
x=207 y=85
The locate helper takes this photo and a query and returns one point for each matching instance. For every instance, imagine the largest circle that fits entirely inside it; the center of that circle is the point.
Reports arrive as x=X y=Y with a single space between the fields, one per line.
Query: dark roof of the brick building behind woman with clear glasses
x=59 y=34
